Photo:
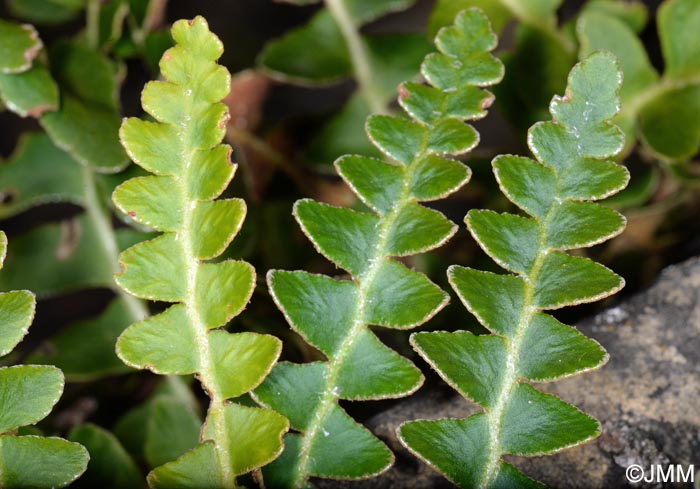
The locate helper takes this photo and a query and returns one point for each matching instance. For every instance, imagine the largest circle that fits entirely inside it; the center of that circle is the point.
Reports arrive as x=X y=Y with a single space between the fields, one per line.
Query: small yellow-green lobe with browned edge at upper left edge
x=19 y=45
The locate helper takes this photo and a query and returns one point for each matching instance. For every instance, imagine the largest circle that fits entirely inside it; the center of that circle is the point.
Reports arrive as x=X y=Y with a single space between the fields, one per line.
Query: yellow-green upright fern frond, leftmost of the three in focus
x=191 y=169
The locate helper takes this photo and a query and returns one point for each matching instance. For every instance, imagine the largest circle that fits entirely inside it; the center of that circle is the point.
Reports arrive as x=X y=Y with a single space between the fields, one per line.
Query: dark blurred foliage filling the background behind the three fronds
x=89 y=60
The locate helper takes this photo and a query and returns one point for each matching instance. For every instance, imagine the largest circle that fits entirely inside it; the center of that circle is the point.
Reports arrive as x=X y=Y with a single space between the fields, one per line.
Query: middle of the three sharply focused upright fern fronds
x=333 y=315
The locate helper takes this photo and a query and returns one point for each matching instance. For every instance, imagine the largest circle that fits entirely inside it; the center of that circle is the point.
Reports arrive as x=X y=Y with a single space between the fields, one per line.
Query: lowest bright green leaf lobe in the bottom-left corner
x=40 y=463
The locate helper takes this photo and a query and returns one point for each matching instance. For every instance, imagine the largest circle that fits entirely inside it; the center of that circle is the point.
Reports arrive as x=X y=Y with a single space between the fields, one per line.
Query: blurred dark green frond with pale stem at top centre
x=377 y=62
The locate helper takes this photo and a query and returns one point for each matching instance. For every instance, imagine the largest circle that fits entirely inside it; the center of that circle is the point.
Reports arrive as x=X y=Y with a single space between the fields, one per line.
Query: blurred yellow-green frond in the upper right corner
x=661 y=111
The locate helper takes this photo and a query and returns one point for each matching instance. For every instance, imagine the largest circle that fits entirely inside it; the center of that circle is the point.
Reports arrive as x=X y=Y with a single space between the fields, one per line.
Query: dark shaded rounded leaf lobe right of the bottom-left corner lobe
x=110 y=466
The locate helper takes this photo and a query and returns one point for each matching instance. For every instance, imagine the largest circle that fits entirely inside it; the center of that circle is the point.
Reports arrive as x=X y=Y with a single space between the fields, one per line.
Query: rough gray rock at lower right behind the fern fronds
x=647 y=397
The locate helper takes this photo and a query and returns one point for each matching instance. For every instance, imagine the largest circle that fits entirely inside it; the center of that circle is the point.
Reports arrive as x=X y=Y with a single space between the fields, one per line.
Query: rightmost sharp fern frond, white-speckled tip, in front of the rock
x=526 y=344
